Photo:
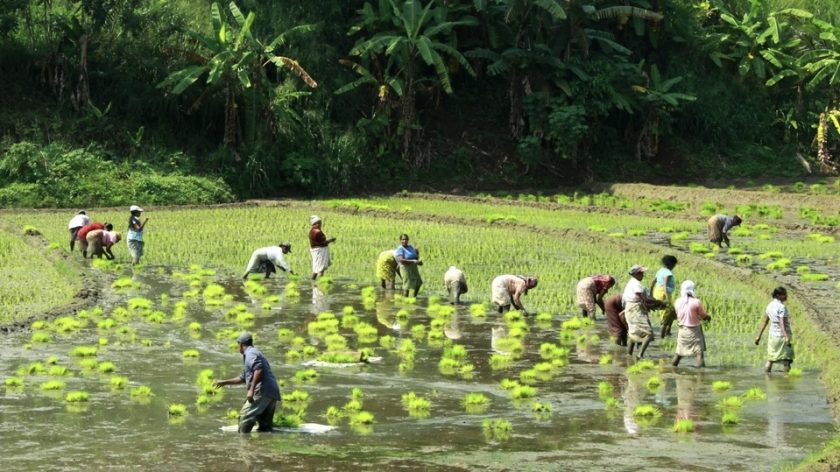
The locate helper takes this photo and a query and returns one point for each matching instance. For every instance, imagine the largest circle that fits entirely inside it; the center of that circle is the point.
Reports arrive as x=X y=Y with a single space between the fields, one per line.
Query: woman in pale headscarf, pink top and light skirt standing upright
x=690 y=341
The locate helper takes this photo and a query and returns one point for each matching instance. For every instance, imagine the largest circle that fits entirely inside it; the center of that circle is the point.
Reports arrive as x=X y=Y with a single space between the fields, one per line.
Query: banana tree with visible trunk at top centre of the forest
x=420 y=42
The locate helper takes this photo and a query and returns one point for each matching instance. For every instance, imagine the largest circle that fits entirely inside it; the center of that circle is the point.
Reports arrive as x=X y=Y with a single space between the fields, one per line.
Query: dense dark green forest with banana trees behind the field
x=288 y=96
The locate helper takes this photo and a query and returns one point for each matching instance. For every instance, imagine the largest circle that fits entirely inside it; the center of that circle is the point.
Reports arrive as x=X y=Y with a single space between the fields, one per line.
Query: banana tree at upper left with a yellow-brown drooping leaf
x=236 y=64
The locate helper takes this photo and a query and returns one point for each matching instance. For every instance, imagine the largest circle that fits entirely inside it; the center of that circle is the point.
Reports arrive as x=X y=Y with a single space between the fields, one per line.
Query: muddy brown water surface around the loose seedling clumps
x=40 y=430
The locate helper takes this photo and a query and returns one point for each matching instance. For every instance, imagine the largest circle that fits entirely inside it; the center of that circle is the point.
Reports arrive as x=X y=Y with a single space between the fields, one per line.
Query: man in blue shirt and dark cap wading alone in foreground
x=263 y=392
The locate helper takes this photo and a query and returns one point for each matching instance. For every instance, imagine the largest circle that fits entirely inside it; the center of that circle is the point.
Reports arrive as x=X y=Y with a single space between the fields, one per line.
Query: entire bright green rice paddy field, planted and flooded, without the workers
x=124 y=380
